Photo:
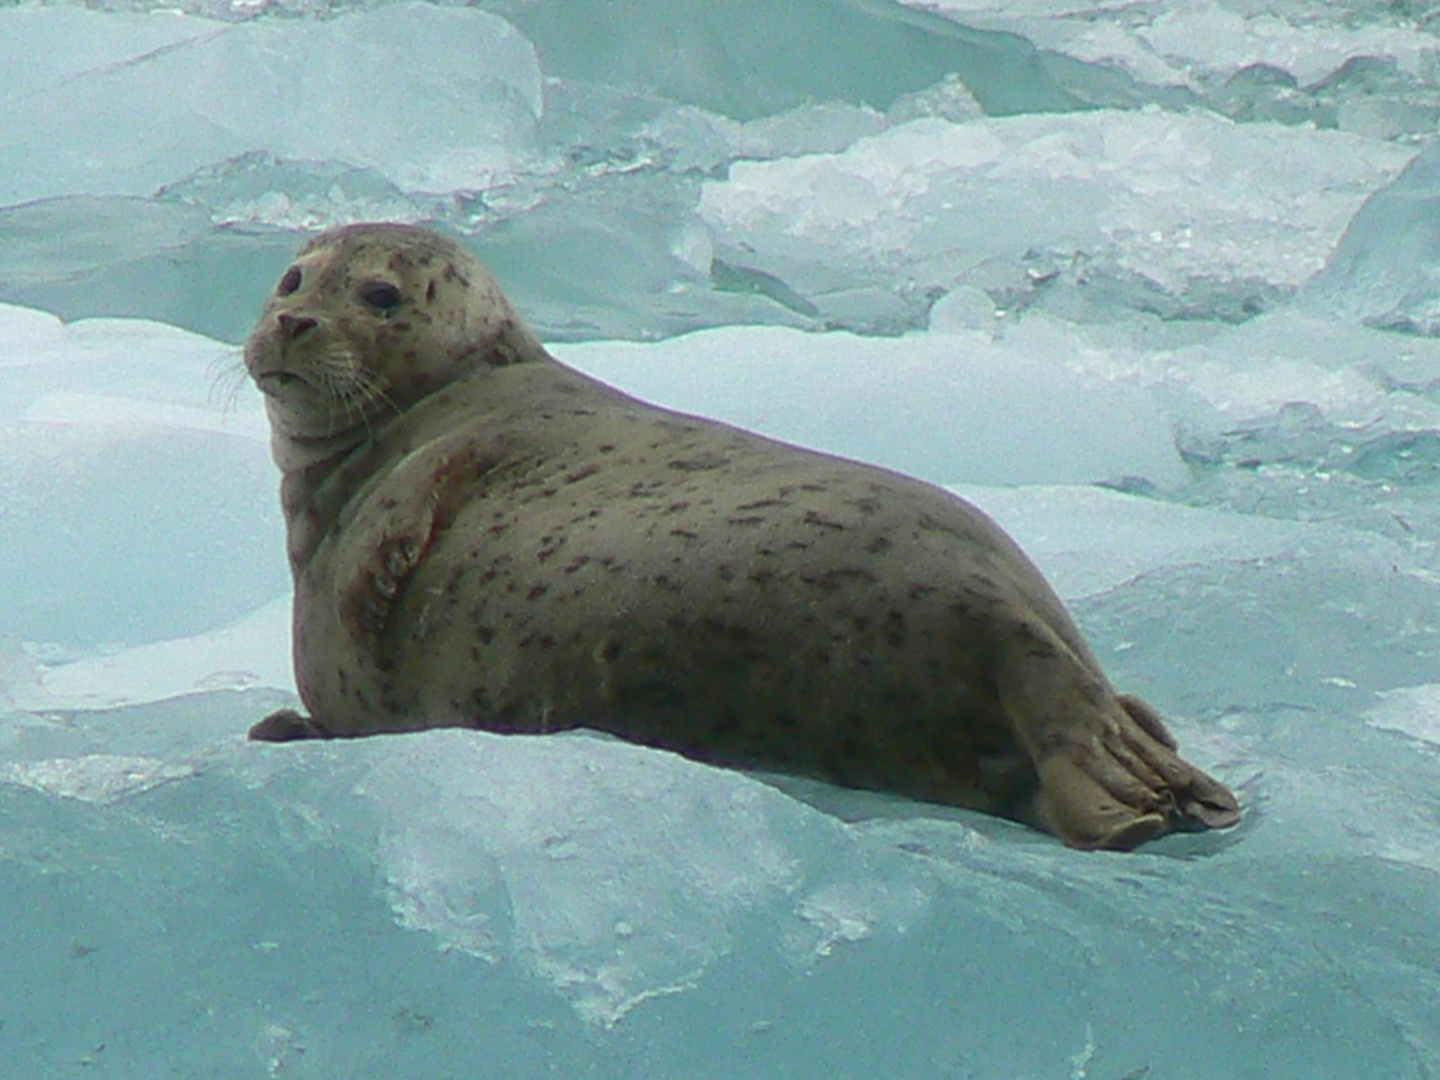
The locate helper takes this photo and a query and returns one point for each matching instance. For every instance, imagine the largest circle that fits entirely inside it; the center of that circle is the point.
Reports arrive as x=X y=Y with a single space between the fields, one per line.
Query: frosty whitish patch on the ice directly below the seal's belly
x=607 y=901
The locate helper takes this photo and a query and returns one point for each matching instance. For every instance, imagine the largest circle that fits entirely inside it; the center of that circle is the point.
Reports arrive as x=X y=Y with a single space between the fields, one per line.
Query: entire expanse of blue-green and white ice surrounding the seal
x=1154 y=282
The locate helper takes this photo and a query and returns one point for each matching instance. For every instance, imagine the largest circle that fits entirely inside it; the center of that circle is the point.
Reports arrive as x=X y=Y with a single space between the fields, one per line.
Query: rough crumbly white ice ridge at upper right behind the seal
x=1174 y=197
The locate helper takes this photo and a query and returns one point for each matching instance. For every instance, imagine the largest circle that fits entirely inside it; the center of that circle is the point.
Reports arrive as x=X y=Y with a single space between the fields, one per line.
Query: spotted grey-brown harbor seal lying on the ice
x=485 y=538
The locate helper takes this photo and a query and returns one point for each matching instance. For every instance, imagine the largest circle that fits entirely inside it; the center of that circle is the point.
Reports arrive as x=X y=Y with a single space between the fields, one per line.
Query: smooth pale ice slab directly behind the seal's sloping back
x=947 y=407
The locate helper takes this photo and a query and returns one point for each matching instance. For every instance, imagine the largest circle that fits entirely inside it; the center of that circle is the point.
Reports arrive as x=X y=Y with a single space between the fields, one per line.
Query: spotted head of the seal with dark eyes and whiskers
x=366 y=322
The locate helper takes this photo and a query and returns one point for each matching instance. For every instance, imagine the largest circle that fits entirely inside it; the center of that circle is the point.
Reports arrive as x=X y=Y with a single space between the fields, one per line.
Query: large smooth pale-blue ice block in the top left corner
x=126 y=116
